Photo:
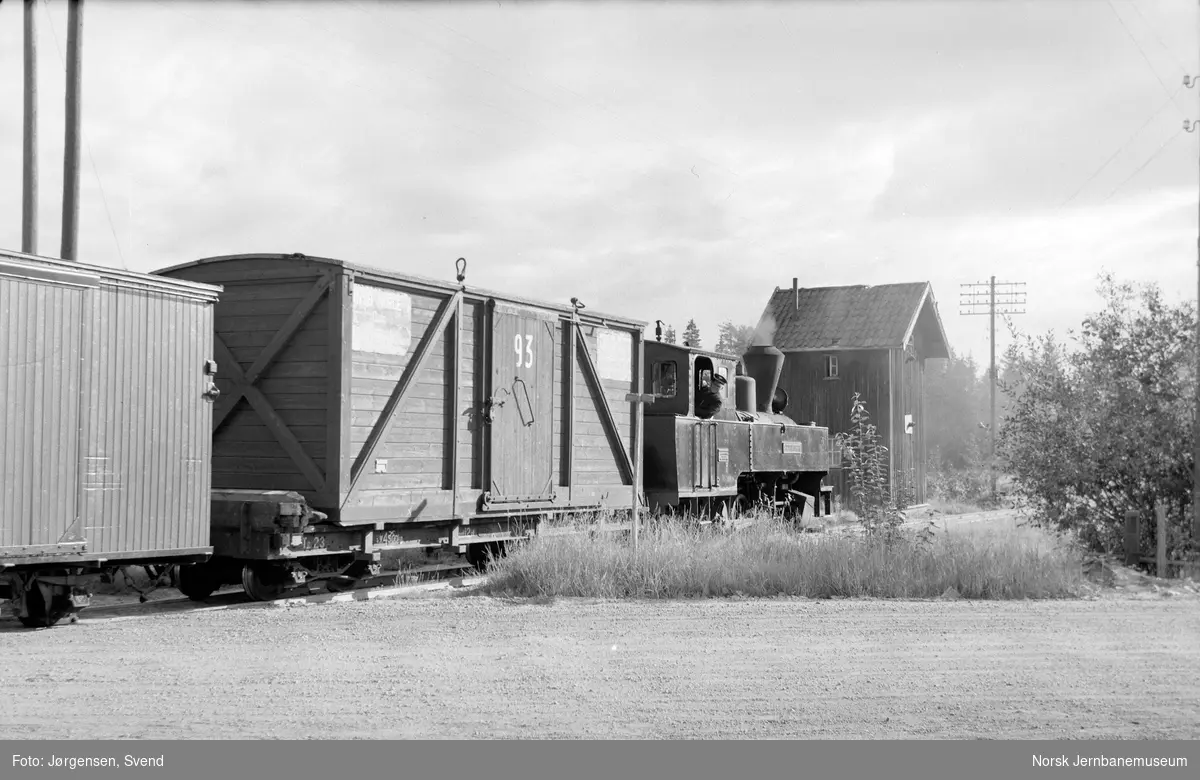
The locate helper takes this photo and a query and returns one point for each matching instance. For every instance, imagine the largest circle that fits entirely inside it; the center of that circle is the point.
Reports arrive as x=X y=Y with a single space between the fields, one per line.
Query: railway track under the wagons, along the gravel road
x=381 y=587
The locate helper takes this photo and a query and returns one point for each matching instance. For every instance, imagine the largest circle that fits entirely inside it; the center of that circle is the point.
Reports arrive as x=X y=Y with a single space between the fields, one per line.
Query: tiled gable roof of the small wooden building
x=850 y=317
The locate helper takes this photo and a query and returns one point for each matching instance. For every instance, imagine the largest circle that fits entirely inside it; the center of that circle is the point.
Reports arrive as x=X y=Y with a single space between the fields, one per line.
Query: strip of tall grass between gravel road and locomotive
x=771 y=559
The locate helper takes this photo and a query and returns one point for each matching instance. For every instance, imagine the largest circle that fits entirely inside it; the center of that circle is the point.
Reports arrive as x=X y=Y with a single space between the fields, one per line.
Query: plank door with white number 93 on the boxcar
x=521 y=406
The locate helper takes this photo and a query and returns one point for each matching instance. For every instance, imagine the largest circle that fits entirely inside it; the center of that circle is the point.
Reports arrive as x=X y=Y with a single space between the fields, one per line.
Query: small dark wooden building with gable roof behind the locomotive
x=874 y=341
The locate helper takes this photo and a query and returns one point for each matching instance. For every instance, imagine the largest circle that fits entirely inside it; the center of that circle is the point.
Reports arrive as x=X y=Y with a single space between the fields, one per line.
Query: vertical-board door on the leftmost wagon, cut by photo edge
x=40 y=343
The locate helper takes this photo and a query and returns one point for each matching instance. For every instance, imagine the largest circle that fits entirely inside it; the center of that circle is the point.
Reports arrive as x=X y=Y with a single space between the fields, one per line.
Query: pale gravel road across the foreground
x=465 y=667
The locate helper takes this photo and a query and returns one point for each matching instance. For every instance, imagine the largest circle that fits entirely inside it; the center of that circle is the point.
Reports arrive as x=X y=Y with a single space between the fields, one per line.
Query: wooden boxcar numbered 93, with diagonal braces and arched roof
x=411 y=412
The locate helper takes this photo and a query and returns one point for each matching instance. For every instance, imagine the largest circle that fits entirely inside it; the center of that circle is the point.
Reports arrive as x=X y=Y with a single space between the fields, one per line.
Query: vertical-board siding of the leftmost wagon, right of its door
x=147 y=424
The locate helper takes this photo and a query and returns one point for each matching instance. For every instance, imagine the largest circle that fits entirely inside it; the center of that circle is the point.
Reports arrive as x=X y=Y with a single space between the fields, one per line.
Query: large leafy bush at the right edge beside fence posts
x=1107 y=428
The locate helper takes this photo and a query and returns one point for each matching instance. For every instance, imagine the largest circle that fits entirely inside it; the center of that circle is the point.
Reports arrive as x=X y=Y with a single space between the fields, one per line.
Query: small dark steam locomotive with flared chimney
x=745 y=453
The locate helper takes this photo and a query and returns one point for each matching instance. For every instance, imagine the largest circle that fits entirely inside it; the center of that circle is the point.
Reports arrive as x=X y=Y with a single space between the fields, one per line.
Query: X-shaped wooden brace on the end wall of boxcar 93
x=244 y=383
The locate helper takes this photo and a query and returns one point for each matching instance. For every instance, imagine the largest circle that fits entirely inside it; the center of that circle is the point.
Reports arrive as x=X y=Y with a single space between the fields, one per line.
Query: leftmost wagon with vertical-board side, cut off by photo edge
x=106 y=407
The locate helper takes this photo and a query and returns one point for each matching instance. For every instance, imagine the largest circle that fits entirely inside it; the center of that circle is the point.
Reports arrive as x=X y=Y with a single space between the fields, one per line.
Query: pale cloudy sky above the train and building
x=664 y=161
